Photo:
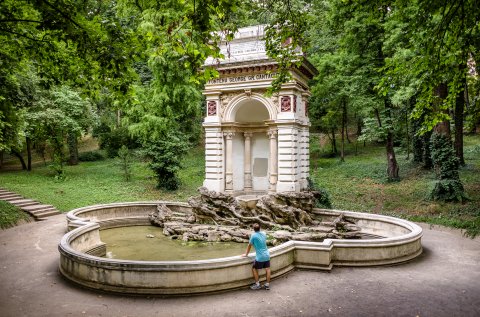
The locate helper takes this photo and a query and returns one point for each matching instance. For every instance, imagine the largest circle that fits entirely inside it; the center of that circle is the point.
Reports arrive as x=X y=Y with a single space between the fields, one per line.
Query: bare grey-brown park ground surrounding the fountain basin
x=443 y=281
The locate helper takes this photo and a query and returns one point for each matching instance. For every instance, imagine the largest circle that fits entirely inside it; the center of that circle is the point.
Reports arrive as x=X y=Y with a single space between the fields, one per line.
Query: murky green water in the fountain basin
x=132 y=243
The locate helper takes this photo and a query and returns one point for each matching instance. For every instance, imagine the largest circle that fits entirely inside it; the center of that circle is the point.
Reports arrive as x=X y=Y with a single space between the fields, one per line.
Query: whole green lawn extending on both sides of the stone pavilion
x=358 y=184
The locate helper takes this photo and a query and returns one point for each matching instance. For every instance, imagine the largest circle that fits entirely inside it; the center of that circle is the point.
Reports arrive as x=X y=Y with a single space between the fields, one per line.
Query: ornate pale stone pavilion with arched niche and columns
x=255 y=144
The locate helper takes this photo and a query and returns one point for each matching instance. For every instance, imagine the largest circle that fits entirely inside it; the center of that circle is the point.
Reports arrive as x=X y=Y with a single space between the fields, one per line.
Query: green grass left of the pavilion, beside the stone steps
x=101 y=182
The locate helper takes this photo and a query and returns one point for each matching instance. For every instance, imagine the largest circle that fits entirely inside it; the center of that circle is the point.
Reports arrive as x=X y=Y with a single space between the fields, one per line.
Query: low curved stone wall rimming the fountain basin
x=402 y=242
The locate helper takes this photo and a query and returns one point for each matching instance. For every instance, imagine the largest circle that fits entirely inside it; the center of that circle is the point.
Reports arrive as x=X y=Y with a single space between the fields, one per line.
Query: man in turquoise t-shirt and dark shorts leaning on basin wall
x=262 y=257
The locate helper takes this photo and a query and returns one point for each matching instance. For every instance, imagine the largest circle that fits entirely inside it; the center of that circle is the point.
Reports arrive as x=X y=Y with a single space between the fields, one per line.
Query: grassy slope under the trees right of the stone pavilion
x=360 y=184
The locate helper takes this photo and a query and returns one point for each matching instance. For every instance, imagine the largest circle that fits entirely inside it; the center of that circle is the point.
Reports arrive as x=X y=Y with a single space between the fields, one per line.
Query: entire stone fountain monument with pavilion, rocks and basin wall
x=254 y=145
